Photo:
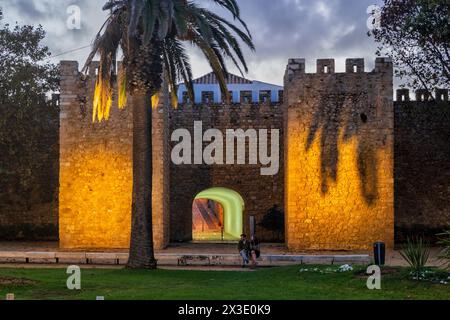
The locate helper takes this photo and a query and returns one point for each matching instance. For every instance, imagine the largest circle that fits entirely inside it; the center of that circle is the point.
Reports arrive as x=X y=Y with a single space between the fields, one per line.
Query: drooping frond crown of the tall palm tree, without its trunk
x=151 y=34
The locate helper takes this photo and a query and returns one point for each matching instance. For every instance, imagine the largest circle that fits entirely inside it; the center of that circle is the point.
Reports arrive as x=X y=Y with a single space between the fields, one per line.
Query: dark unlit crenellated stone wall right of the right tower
x=422 y=164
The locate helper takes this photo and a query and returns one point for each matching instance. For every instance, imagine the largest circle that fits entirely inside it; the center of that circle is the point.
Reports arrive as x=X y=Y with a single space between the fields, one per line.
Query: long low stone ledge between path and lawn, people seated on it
x=170 y=259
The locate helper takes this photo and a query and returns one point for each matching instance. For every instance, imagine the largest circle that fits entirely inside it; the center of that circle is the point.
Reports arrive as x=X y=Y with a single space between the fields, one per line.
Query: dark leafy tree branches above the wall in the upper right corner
x=416 y=34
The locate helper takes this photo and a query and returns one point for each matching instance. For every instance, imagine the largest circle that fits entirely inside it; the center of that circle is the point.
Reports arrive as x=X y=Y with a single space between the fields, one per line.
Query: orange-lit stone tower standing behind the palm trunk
x=96 y=169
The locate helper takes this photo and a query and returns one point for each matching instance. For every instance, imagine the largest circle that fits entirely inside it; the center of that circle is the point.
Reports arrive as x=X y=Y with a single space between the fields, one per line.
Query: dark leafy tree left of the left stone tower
x=28 y=121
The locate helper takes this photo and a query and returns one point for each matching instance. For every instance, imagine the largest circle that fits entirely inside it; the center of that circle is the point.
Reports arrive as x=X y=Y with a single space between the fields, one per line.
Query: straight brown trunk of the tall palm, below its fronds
x=141 y=243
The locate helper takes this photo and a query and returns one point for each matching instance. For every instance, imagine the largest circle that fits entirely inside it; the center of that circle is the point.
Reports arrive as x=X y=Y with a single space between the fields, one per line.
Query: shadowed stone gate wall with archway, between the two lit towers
x=260 y=193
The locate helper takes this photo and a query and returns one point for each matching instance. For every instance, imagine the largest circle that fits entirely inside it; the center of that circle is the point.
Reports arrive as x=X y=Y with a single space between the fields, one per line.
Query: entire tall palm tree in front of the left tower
x=151 y=35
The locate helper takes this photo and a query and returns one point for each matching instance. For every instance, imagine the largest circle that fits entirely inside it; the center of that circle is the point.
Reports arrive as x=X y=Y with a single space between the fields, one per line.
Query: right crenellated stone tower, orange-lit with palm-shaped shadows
x=339 y=159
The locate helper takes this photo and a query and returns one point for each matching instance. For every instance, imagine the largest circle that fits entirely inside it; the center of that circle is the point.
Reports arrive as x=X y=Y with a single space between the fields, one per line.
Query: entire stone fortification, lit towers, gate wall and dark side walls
x=353 y=158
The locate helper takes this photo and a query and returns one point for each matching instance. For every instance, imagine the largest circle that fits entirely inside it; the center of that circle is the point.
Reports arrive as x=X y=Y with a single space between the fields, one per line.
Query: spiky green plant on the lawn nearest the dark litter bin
x=416 y=253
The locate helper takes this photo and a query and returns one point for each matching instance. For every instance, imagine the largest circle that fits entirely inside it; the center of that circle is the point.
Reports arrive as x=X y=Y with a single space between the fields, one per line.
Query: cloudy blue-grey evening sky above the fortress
x=281 y=29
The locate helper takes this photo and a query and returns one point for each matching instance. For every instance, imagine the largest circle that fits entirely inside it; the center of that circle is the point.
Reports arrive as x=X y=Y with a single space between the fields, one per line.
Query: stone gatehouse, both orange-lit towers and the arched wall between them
x=339 y=178
